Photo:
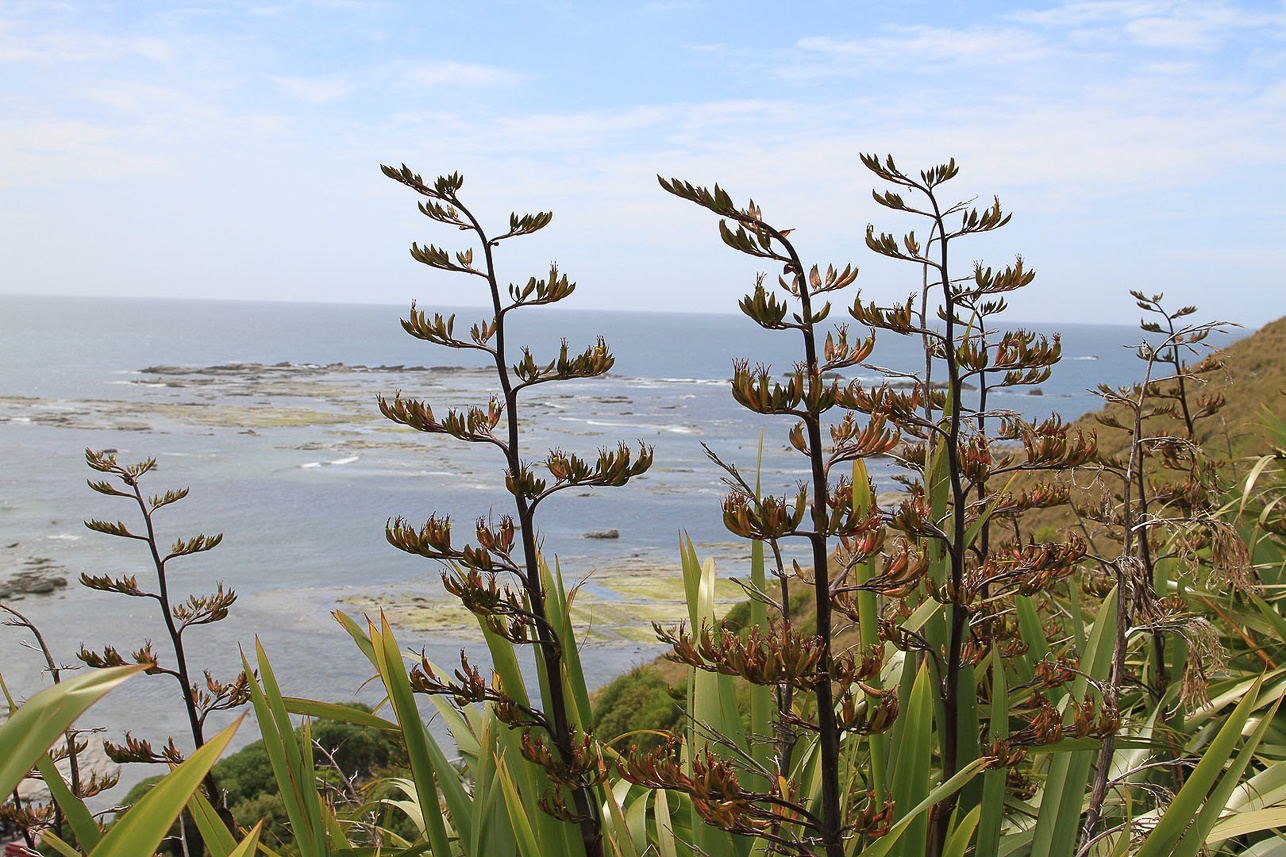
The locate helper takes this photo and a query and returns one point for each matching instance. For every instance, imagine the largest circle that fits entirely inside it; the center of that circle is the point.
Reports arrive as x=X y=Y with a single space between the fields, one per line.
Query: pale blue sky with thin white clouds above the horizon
x=233 y=150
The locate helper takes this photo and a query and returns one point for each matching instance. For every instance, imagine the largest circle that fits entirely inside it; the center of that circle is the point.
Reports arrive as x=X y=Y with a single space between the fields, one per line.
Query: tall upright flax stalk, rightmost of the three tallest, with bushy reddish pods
x=963 y=469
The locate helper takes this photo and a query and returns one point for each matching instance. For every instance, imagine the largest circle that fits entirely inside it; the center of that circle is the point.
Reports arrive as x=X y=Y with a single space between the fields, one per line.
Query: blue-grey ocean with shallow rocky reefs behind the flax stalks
x=268 y=412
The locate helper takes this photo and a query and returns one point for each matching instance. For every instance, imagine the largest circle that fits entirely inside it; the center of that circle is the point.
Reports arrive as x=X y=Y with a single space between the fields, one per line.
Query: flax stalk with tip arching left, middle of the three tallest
x=806 y=396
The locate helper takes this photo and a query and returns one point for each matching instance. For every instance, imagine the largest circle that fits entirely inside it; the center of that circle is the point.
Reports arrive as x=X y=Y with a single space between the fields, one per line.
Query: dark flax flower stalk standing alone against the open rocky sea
x=502 y=578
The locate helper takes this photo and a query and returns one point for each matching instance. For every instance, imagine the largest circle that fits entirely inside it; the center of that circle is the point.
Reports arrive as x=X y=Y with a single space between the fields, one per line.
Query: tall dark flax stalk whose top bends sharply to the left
x=783 y=657
